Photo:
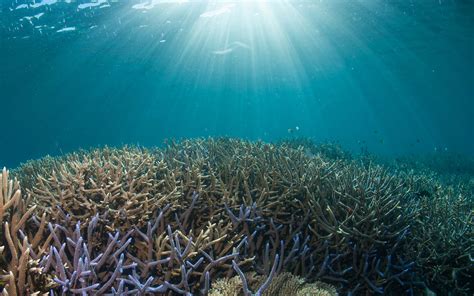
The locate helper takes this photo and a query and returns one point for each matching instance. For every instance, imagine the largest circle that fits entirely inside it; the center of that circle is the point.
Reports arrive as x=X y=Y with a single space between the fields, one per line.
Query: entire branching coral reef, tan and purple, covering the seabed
x=229 y=217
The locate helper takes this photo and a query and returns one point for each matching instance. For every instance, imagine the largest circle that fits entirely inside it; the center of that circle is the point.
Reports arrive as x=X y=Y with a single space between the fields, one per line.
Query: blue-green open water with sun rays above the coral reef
x=393 y=77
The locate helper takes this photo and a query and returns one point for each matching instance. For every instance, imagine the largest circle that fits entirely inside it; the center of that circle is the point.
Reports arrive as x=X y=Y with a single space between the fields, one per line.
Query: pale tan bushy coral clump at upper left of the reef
x=123 y=186
